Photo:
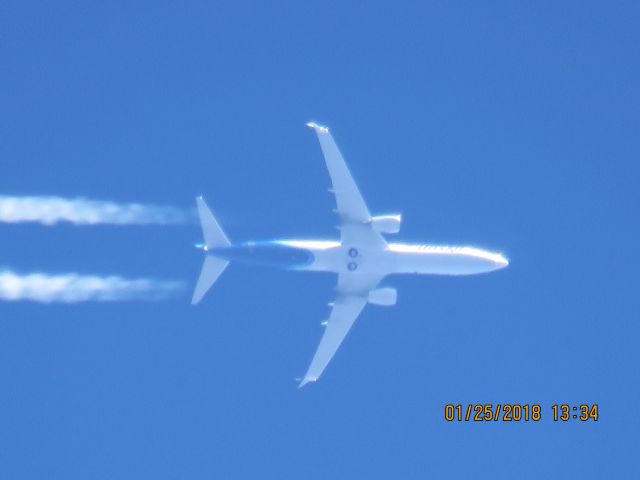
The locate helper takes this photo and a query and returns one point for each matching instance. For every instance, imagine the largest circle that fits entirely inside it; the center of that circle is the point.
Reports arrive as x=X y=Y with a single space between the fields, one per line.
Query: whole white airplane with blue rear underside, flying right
x=361 y=258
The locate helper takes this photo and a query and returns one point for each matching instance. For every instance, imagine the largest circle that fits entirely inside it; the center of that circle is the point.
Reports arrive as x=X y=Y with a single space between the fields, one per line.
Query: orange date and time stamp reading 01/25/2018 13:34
x=515 y=412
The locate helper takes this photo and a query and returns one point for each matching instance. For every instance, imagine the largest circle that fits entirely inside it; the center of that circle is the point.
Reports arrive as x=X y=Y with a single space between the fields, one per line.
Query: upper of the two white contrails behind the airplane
x=81 y=211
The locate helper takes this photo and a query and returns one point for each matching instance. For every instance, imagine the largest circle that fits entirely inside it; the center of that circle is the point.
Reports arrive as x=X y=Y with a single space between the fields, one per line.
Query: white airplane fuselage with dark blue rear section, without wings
x=395 y=258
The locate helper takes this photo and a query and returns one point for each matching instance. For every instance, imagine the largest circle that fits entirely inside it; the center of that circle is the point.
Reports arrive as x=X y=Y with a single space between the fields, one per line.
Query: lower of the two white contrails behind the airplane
x=72 y=288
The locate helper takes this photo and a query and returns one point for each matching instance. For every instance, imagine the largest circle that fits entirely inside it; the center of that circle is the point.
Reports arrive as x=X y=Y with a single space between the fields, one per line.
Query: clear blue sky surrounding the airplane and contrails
x=510 y=126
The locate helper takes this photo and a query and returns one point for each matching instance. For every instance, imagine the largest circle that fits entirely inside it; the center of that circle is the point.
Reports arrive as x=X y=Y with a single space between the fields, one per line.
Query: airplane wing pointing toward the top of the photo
x=355 y=219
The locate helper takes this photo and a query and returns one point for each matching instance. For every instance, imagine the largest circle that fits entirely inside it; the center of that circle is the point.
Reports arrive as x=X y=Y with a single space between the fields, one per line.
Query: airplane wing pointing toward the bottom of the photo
x=353 y=291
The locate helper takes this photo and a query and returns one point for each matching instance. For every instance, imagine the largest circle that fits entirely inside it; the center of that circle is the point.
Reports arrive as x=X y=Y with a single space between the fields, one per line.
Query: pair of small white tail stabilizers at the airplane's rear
x=213 y=237
